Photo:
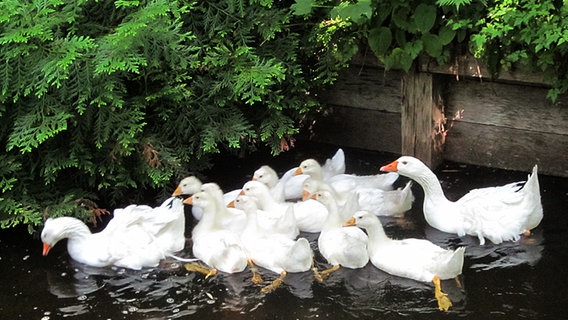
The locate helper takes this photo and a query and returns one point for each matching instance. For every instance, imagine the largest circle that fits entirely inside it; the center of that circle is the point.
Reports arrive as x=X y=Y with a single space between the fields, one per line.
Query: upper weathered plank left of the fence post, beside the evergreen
x=365 y=88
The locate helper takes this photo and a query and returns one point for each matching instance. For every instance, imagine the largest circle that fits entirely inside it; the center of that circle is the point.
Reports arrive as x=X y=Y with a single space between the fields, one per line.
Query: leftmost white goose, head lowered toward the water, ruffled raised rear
x=137 y=236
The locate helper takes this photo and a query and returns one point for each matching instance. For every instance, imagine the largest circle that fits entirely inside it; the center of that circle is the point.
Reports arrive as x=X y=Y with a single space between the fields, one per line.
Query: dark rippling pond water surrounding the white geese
x=515 y=280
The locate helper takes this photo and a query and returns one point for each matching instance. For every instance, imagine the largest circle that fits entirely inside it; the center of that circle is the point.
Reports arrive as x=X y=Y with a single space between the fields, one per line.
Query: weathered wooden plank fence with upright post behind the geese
x=448 y=113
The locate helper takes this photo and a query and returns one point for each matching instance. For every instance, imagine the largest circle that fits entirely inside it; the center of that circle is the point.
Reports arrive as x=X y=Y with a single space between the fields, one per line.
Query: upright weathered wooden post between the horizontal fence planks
x=422 y=118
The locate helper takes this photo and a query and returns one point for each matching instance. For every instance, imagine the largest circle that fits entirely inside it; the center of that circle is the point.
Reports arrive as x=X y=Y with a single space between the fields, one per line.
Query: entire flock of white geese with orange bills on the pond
x=260 y=224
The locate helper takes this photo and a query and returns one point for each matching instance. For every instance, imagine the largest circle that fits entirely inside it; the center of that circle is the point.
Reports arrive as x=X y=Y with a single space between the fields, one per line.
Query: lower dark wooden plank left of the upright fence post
x=359 y=128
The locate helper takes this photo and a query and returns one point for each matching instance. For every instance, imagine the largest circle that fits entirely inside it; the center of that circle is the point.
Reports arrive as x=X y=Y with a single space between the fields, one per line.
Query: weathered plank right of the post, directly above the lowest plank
x=513 y=106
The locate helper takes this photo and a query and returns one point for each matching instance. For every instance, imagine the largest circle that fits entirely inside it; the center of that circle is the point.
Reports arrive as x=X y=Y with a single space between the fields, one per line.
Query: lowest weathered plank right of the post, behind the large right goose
x=507 y=148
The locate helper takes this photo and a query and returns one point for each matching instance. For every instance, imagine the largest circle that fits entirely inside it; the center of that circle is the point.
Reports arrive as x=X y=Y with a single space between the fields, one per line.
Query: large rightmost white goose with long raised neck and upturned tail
x=496 y=213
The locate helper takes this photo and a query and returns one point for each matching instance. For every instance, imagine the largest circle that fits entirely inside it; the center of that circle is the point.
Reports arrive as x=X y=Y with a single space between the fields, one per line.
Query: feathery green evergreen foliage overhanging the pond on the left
x=104 y=100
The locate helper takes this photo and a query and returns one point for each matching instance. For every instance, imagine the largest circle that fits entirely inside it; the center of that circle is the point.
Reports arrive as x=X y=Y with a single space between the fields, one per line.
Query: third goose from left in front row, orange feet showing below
x=271 y=251
